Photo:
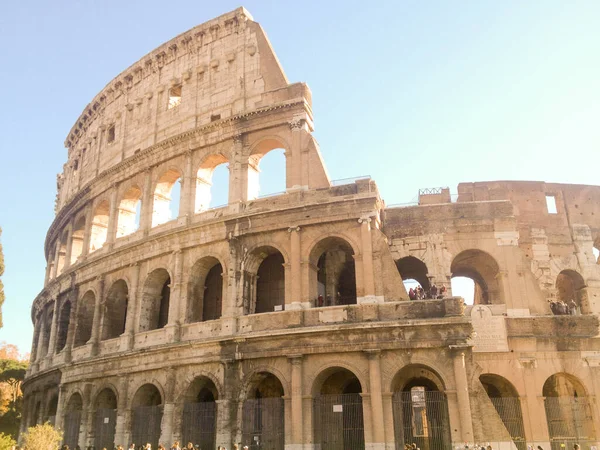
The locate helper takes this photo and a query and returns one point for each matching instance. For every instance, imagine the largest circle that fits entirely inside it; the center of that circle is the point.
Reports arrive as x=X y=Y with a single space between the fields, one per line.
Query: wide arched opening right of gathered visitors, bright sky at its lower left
x=483 y=270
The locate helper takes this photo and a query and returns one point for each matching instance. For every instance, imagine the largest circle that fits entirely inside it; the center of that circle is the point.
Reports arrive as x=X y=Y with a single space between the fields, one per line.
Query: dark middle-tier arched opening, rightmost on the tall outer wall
x=333 y=273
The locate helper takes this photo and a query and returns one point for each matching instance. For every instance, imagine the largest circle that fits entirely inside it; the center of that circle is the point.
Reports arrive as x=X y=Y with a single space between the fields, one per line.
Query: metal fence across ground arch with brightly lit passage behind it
x=421 y=418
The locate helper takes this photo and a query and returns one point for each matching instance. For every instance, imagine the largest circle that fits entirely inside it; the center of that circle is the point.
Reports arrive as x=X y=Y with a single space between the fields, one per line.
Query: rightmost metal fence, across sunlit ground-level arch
x=569 y=422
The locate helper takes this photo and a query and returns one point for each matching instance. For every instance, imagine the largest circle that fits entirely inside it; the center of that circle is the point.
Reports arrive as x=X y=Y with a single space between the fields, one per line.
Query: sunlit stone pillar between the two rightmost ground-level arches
x=536 y=411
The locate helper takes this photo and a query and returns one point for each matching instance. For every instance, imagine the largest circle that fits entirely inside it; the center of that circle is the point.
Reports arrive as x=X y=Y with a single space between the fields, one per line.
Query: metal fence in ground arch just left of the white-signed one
x=263 y=424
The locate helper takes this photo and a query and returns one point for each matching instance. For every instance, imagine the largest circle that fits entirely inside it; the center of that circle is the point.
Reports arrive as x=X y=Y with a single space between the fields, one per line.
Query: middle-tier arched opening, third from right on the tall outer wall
x=205 y=290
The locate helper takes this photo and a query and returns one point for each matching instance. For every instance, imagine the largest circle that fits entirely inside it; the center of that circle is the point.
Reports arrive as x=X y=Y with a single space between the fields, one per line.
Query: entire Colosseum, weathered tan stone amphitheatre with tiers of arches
x=283 y=322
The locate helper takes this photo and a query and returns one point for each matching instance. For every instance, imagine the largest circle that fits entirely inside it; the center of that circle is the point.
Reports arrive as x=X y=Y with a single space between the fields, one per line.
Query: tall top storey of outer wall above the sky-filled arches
x=219 y=69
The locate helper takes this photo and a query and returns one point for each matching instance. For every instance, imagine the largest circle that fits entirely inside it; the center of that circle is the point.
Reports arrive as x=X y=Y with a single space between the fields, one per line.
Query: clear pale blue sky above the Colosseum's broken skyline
x=414 y=93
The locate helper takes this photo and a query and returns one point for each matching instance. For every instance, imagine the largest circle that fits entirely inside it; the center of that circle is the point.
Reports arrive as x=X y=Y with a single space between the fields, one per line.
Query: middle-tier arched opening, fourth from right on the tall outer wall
x=154 y=313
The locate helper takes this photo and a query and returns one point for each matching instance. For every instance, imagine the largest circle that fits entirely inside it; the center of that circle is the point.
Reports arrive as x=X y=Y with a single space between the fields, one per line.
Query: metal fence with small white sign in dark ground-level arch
x=338 y=422
